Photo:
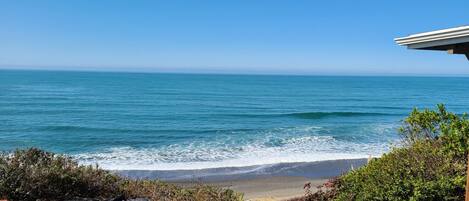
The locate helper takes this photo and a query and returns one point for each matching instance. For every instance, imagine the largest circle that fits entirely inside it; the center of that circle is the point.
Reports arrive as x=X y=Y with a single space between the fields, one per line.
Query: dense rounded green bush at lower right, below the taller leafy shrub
x=419 y=172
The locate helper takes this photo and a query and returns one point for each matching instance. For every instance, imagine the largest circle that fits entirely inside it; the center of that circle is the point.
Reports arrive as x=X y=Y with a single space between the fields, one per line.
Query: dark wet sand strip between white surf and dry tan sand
x=310 y=170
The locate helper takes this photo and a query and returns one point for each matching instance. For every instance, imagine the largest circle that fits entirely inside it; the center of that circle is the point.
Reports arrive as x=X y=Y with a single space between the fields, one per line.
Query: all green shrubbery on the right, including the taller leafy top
x=430 y=164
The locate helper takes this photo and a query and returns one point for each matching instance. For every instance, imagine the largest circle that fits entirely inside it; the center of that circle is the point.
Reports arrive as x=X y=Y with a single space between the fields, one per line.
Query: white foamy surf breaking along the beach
x=270 y=149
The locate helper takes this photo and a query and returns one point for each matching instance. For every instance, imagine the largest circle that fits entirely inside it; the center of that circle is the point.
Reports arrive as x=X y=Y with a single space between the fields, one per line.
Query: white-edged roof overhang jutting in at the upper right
x=454 y=40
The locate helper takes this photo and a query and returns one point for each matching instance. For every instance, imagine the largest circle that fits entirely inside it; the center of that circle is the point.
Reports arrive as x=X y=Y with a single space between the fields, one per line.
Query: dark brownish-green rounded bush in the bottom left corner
x=34 y=174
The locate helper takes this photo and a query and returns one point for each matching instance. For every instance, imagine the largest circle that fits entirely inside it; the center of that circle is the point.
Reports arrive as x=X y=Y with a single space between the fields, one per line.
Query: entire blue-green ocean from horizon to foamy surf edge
x=151 y=121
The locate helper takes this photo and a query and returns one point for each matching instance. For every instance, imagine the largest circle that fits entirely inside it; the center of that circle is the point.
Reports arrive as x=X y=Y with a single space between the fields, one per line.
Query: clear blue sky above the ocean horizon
x=246 y=36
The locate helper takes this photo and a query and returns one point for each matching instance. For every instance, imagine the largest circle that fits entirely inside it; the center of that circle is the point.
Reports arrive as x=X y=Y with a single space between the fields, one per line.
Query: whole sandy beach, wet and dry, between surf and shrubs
x=267 y=182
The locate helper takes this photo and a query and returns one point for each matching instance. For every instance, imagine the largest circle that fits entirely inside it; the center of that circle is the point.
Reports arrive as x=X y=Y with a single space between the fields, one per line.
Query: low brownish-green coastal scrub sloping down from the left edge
x=33 y=174
